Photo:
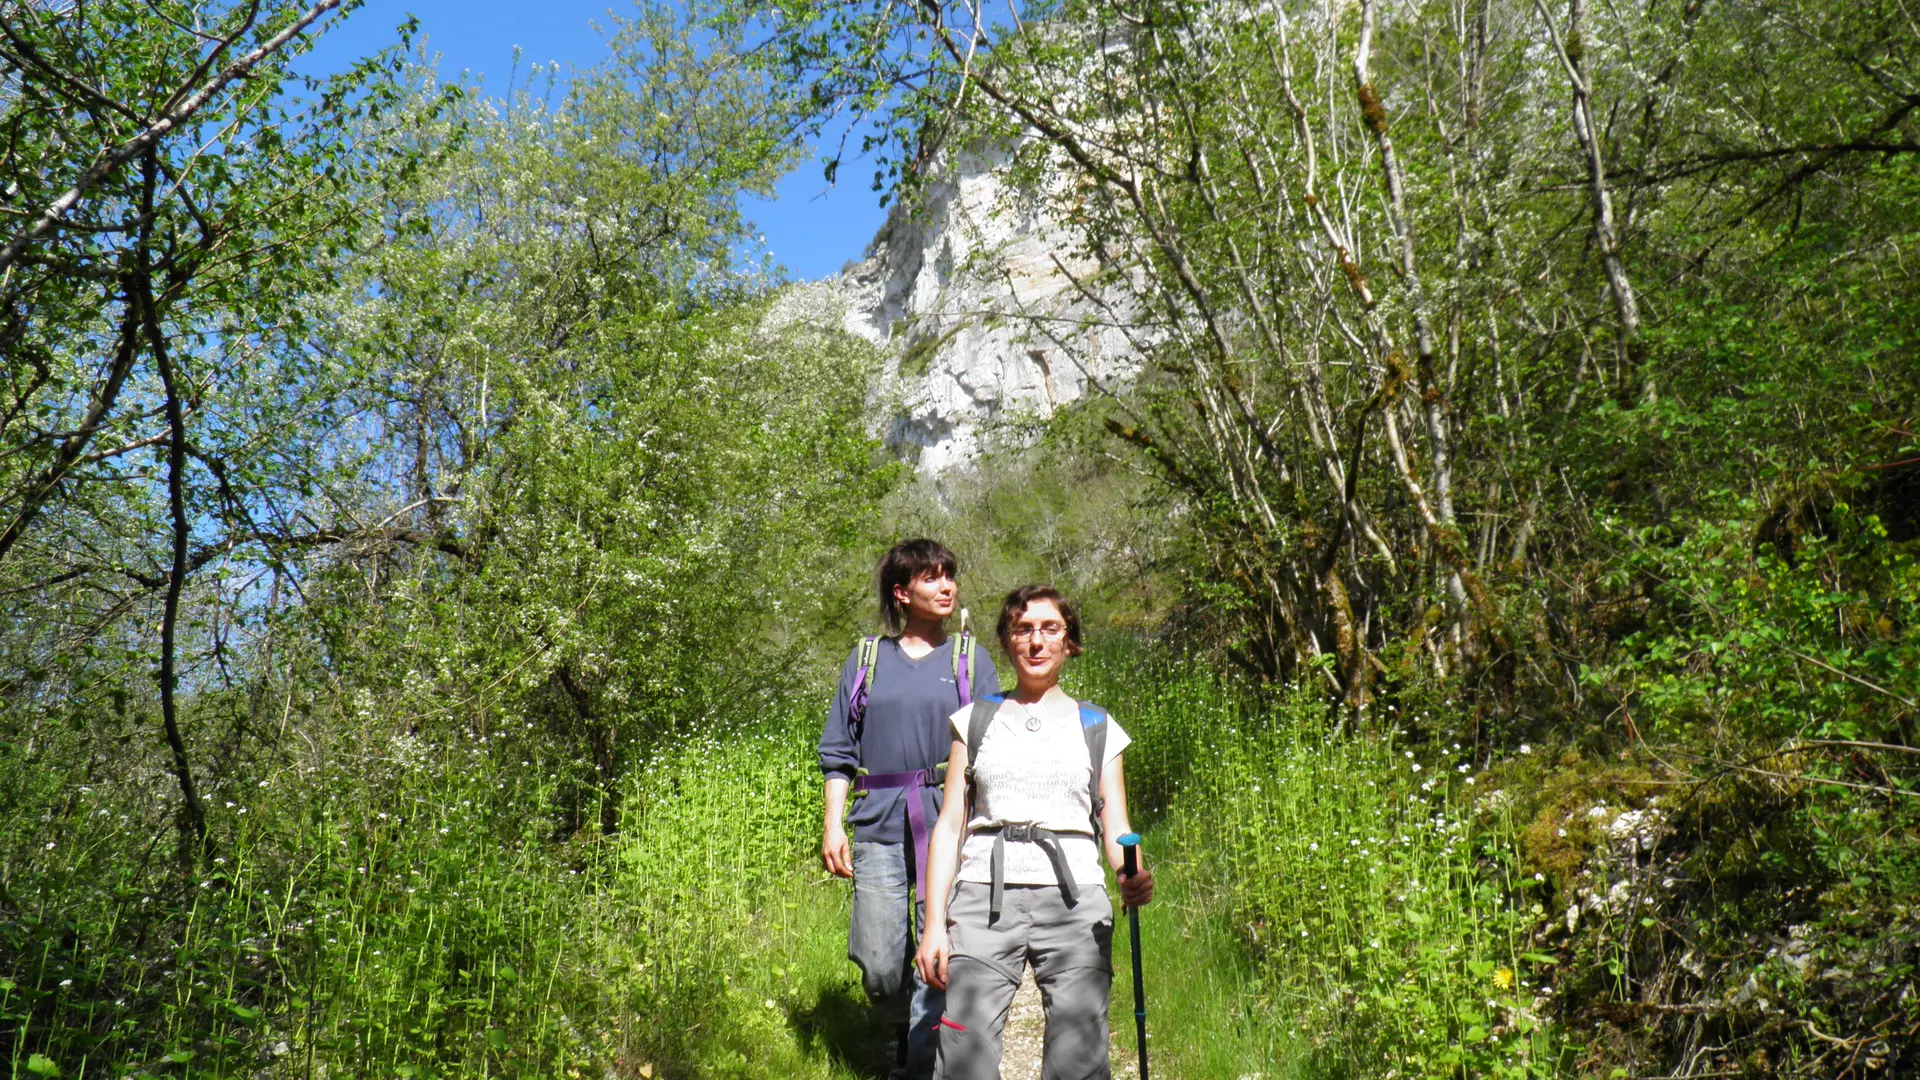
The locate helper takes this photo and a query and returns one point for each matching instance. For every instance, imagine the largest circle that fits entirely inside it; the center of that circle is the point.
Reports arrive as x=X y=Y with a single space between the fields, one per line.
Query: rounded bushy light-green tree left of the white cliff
x=594 y=489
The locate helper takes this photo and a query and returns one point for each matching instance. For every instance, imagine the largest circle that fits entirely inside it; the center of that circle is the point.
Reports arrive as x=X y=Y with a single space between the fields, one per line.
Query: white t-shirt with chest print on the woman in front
x=1034 y=770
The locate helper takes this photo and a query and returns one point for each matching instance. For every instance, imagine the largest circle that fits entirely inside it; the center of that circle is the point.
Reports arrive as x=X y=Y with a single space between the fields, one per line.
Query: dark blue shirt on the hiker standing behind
x=905 y=729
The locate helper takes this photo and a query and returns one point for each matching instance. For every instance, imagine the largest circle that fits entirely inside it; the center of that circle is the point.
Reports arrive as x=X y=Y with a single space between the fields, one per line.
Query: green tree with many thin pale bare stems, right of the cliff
x=1387 y=270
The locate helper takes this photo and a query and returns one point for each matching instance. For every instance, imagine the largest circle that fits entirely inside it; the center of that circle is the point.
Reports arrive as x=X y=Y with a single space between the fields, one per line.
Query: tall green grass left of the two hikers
x=412 y=912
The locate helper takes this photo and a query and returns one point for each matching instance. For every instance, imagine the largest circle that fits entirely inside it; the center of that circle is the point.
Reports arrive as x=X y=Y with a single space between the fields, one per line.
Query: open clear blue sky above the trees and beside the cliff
x=809 y=228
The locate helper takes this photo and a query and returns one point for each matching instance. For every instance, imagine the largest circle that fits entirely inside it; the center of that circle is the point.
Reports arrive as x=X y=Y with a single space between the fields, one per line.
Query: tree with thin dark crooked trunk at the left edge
x=172 y=195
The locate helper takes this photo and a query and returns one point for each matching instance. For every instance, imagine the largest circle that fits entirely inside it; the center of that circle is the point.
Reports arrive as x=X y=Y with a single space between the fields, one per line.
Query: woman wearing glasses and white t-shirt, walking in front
x=1019 y=833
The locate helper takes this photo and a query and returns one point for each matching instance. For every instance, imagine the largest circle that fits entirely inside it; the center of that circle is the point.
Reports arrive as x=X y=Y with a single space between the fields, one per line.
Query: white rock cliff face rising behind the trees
x=974 y=301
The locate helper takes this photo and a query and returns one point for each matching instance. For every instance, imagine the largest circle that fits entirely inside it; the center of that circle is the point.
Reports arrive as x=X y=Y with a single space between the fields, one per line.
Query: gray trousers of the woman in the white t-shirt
x=1072 y=956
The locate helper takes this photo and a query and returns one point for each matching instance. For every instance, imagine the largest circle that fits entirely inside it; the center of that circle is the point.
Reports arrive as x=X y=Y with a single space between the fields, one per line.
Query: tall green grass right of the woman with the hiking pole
x=1366 y=889
